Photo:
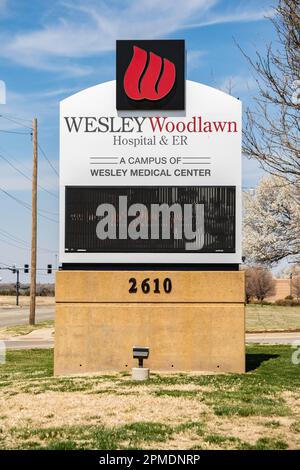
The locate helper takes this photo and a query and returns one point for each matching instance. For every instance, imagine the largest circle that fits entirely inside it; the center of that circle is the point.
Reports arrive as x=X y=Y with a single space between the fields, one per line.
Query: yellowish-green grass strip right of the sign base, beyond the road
x=272 y=317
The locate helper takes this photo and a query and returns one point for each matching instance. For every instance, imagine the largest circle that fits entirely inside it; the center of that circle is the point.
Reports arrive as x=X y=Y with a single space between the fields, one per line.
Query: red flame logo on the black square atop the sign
x=152 y=84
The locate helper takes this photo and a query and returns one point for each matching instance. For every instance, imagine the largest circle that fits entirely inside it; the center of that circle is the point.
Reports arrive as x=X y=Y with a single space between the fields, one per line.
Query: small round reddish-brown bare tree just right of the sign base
x=259 y=283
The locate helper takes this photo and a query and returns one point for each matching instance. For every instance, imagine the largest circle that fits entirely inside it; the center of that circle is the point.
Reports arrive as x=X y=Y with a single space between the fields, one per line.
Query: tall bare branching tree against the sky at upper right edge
x=272 y=130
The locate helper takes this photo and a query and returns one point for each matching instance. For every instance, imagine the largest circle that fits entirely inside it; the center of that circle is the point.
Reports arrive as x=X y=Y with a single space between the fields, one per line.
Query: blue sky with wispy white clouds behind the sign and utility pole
x=50 y=50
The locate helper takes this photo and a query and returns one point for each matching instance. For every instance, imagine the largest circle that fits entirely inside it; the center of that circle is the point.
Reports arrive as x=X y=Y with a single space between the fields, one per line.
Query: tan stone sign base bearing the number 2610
x=190 y=320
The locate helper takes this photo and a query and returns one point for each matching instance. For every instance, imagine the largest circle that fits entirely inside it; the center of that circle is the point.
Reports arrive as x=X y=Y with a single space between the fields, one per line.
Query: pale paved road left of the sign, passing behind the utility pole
x=17 y=316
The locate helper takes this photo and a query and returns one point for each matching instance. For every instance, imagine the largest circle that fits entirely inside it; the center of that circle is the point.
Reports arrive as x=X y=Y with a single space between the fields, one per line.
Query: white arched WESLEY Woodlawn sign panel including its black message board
x=112 y=164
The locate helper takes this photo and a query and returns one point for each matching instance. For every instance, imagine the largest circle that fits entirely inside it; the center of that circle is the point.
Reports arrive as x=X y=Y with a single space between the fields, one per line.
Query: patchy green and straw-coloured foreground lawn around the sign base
x=256 y=410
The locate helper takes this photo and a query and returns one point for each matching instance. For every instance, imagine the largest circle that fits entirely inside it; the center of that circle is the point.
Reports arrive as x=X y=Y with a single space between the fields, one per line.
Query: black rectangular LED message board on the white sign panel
x=169 y=219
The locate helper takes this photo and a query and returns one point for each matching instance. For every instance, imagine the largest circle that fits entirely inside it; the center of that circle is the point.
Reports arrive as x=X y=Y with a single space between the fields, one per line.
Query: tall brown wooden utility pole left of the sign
x=33 y=225
